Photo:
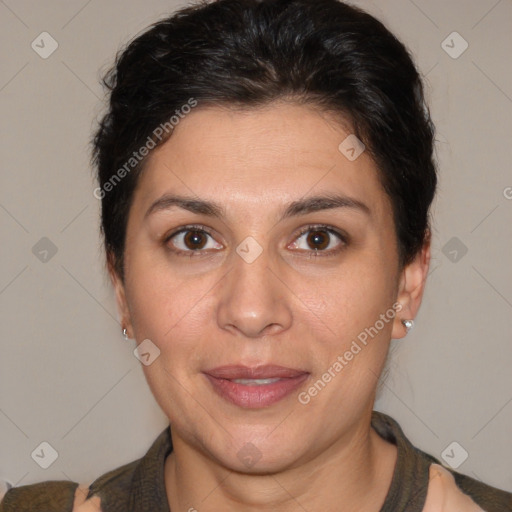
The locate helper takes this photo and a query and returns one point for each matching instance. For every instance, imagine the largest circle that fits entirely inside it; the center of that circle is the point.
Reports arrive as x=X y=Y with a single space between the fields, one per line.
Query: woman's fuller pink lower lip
x=255 y=397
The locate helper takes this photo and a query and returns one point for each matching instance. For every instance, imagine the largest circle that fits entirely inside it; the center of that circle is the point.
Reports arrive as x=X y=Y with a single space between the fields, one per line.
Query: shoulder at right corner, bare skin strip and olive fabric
x=453 y=492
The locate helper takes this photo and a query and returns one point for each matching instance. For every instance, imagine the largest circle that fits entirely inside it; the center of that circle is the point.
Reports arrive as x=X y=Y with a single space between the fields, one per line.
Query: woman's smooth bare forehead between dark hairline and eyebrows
x=246 y=158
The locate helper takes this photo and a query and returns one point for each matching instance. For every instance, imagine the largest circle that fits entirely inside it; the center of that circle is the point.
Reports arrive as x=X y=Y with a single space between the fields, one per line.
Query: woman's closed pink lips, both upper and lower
x=253 y=396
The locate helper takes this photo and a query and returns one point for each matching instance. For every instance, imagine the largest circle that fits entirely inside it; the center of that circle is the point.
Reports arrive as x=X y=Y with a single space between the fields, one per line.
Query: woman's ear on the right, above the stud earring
x=411 y=287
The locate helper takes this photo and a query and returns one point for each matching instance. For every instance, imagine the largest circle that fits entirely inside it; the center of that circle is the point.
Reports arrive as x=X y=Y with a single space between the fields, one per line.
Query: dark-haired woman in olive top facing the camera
x=266 y=172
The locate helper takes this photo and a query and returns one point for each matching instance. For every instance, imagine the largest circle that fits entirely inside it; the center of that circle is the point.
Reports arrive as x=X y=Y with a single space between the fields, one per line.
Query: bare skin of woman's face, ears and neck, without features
x=287 y=307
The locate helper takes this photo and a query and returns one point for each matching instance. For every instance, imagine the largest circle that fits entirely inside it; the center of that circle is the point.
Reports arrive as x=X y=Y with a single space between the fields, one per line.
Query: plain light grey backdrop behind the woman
x=68 y=377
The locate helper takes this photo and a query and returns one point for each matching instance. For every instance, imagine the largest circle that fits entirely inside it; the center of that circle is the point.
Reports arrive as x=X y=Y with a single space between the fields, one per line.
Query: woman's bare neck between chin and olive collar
x=355 y=471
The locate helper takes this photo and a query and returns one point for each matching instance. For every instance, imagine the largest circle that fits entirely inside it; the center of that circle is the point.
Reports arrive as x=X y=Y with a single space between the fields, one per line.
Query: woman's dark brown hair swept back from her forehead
x=250 y=53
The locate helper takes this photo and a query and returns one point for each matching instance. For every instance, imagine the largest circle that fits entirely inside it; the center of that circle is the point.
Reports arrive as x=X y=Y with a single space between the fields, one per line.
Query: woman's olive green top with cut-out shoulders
x=139 y=486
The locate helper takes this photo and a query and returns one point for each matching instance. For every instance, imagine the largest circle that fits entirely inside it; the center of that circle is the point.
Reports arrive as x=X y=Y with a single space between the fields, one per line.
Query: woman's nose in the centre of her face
x=254 y=301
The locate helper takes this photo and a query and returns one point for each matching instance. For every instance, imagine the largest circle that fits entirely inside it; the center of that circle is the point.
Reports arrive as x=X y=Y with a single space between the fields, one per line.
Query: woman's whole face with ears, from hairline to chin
x=253 y=243
